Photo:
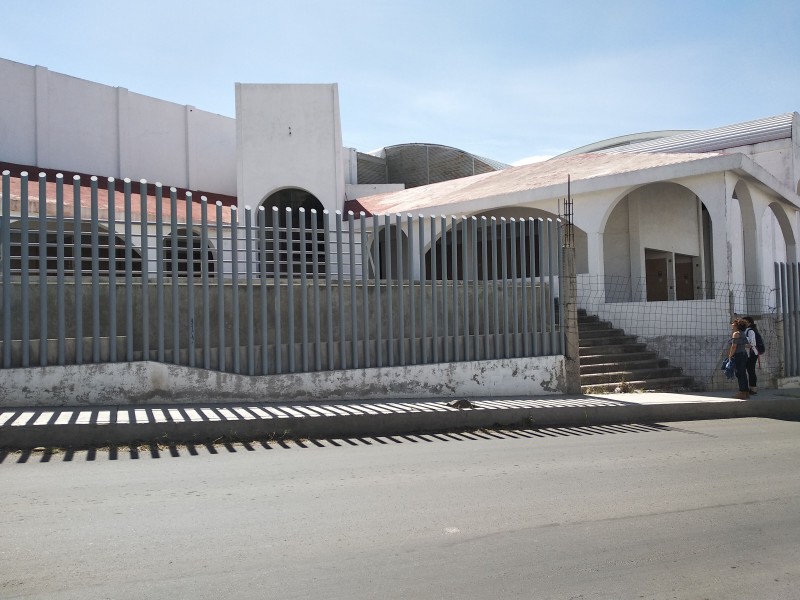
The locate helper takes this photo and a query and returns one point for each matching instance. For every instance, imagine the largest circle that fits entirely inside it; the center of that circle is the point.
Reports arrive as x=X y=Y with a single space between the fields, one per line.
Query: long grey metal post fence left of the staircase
x=114 y=274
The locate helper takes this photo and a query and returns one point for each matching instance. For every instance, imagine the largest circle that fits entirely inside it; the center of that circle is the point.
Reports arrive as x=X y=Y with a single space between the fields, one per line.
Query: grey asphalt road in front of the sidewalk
x=687 y=510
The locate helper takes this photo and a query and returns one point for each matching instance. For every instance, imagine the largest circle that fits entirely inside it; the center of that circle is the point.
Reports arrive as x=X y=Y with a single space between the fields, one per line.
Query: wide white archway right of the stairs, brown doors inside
x=657 y=246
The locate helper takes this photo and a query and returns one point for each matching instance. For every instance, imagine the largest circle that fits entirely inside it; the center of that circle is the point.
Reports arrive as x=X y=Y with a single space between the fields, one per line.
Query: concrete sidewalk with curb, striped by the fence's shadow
x=26 y=428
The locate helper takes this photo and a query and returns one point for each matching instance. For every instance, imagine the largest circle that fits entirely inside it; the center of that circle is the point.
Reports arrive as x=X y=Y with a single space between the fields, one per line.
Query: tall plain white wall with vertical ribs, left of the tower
x=55 y=121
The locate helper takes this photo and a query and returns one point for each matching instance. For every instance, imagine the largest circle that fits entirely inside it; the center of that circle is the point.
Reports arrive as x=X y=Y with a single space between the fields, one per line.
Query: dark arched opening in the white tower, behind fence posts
x=298 y=213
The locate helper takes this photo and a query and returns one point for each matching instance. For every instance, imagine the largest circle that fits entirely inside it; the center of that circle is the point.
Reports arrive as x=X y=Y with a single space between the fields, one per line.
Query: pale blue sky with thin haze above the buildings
x=504 y=79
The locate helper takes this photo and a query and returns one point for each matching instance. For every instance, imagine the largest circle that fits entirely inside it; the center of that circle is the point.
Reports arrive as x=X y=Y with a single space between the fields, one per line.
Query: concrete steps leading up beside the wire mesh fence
x=613 y=361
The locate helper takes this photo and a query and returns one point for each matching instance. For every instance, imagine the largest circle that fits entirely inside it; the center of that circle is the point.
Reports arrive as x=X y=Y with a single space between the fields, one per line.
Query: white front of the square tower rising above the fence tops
x=289 y=136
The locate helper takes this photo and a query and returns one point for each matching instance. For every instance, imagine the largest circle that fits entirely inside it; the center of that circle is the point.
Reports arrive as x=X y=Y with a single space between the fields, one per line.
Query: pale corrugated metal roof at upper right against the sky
x=721 y=138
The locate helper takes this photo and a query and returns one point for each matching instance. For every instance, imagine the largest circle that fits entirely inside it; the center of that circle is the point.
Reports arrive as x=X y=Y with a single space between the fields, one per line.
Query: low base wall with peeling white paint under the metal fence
x=144 y=382
